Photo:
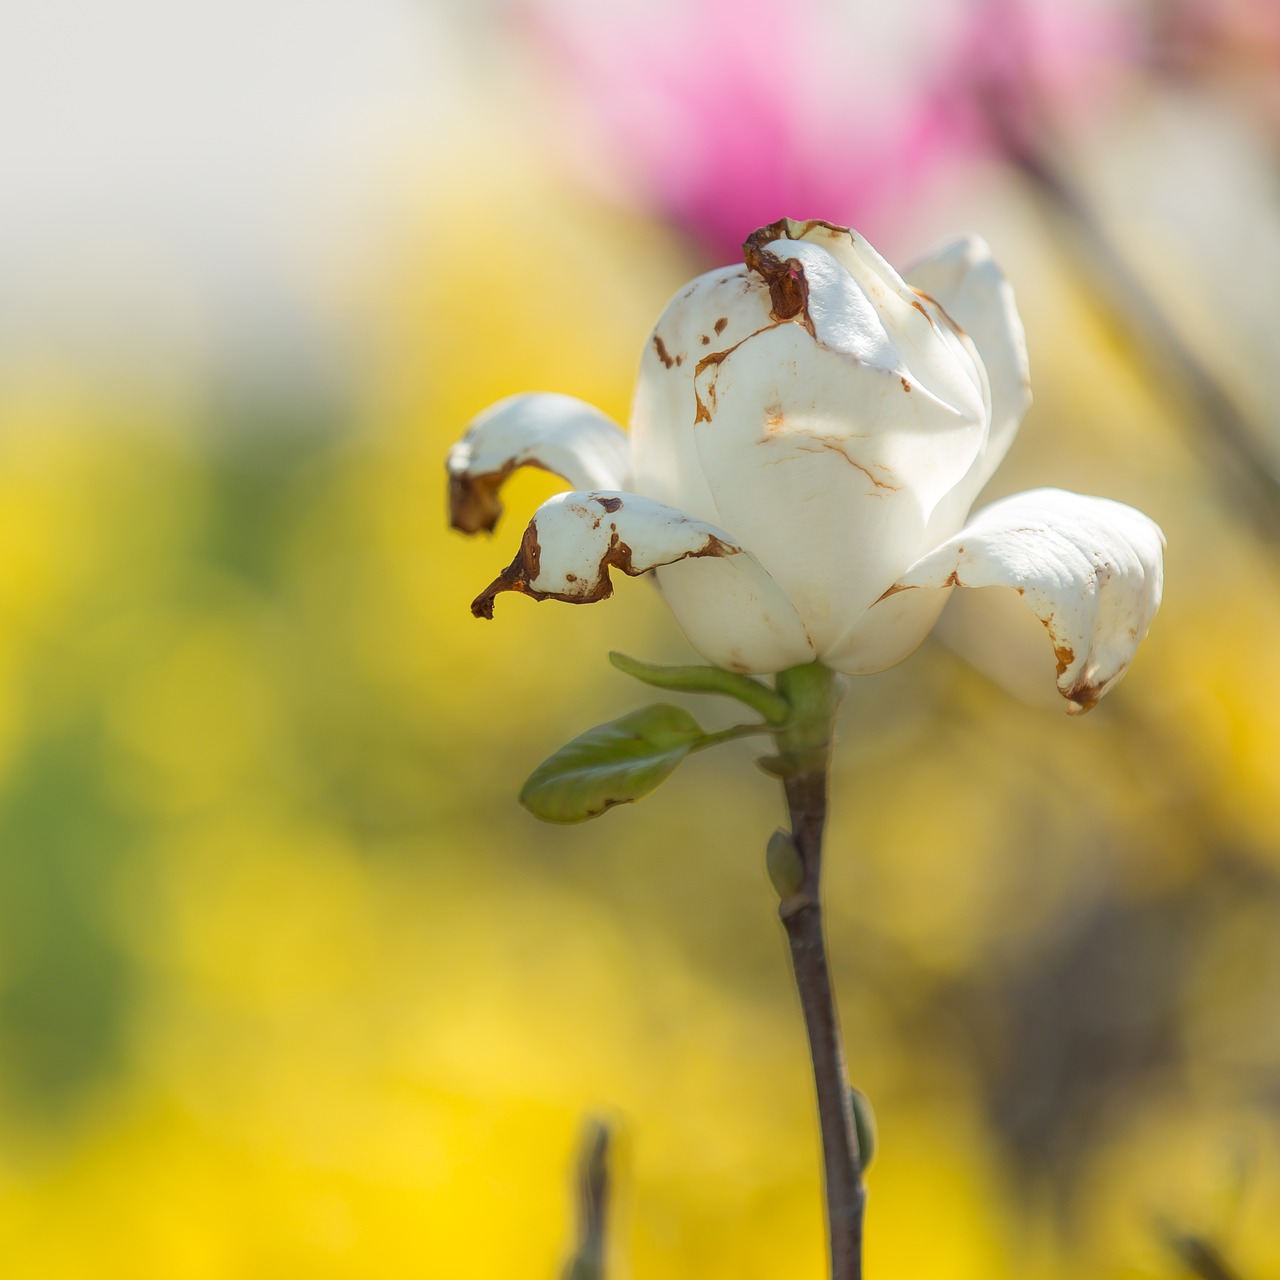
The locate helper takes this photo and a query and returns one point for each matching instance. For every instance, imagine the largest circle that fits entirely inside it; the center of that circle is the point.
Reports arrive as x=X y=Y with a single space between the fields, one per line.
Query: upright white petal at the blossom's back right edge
x=963 y=278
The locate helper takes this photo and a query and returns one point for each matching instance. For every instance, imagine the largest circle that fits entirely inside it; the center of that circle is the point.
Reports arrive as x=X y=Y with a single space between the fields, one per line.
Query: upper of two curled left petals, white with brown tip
x=557 y=433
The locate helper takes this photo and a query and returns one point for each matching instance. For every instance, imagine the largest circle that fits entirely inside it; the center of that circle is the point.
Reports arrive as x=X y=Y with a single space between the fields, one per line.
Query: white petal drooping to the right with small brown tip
x=1090 y=569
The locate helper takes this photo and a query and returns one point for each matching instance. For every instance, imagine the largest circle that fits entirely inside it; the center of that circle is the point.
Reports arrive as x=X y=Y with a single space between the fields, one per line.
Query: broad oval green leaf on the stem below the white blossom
x=610 y=765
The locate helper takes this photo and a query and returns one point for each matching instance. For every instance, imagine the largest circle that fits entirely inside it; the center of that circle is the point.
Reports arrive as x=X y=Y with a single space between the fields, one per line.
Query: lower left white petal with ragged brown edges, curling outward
x=733 y=612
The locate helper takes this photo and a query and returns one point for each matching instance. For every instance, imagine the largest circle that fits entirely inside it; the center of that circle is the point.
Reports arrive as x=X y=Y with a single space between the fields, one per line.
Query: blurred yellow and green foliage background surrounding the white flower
x=290 y=985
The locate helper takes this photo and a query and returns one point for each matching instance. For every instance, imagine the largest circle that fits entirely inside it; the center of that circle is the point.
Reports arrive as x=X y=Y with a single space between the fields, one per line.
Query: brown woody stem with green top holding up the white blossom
x=804 y=751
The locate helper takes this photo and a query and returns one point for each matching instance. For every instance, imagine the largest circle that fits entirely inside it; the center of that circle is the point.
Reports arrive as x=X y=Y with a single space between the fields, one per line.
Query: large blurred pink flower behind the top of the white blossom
x=729 y=115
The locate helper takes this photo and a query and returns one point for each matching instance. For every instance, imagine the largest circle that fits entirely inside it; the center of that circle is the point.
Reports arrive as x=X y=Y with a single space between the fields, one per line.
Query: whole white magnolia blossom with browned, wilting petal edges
x=808 y=436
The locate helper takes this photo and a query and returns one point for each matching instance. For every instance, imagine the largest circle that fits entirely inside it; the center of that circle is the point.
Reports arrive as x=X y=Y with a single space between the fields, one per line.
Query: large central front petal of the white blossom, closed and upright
x=816 y=447
